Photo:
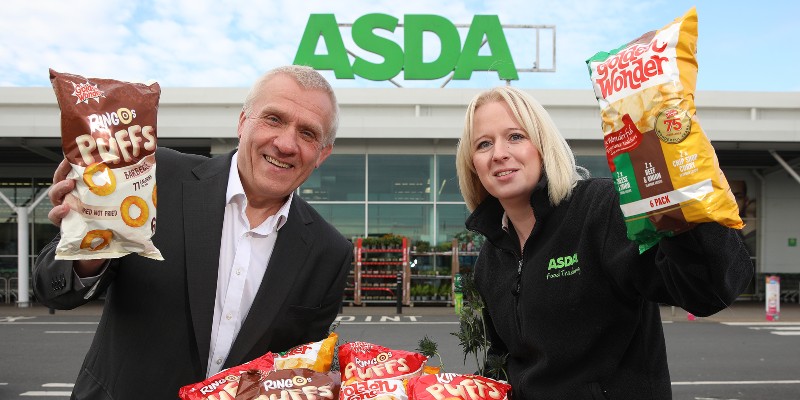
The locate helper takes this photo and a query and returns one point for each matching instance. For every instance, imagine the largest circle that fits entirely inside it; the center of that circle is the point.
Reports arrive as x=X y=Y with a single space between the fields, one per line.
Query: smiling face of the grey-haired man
x=280 y=139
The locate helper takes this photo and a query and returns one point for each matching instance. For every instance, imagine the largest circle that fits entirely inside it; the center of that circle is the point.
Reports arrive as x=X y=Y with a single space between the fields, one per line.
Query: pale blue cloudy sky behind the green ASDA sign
x=742 y=45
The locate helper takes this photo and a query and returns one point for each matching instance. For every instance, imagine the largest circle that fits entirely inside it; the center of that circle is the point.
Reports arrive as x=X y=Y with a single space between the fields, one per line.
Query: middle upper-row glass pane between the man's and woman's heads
x=400 y=177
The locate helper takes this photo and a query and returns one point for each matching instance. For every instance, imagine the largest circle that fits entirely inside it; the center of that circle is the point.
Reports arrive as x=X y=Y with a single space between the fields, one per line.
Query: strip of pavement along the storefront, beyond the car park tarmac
x=740 y=311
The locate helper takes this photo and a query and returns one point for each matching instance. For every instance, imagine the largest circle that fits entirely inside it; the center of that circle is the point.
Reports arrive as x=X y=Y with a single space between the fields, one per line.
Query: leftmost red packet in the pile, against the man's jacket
x=225 y=384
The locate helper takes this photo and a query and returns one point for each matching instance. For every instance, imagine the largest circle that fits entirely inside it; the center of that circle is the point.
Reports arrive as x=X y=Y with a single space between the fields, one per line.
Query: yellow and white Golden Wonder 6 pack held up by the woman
x=663 y=164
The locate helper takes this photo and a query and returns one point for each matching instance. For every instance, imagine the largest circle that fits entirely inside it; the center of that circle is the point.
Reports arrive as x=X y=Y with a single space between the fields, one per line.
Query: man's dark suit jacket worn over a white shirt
x=155 y=332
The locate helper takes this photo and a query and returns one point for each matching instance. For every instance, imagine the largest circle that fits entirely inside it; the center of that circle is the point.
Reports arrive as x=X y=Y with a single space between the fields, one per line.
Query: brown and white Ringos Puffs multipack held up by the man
x=108 y=135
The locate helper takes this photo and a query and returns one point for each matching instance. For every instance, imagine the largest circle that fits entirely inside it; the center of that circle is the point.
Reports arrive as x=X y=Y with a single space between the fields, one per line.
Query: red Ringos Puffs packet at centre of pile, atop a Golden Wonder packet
x=361 y=361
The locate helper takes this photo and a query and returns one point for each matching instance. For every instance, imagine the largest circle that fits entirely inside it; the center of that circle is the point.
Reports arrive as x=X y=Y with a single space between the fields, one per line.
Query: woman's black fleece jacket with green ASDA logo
x=585 y=322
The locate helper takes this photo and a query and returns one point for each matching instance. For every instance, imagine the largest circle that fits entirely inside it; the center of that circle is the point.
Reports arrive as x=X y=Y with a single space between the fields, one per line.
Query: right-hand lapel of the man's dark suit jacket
x=287 y=260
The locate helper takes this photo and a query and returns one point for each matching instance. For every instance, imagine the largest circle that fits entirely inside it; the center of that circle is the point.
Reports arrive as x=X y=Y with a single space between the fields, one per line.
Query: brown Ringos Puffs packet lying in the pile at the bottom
x=289 y=384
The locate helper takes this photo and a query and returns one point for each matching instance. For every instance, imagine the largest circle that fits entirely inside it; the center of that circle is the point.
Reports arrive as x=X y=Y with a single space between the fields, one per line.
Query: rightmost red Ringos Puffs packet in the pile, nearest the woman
x=456 y=387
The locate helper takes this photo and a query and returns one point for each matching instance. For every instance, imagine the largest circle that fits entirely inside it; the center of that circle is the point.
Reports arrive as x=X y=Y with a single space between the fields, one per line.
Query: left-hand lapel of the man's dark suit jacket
x=203 y=213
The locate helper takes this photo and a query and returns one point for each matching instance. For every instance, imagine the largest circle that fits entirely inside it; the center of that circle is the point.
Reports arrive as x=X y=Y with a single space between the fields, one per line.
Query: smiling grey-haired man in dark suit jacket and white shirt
x=249 y=266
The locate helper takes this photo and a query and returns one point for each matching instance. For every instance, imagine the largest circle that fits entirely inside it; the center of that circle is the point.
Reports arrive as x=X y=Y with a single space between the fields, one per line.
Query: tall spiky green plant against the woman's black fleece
x=472 y=332
